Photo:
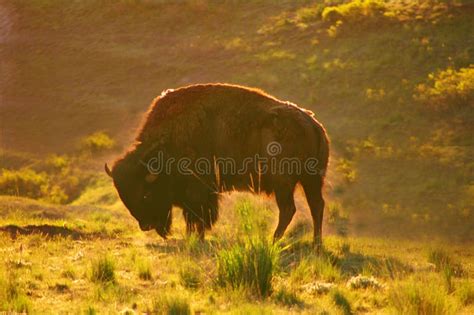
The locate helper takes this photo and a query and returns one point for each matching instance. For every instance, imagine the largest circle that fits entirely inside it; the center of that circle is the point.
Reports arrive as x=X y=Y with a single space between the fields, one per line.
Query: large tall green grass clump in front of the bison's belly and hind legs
x=250 y=265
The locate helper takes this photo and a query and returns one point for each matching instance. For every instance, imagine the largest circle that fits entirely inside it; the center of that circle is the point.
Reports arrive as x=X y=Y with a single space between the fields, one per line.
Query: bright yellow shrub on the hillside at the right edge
x=448 y=88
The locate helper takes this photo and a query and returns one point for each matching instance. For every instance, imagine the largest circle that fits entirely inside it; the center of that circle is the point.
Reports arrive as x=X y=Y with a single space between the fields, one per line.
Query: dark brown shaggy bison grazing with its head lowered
x=201 y=140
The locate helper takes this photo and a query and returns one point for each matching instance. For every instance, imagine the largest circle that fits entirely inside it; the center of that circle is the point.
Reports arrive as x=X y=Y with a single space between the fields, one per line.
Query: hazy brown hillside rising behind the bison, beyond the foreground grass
x=391 y=81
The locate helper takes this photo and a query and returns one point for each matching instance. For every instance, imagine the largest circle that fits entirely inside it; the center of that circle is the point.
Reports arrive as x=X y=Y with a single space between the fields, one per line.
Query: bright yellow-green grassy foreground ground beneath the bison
x=94 y=260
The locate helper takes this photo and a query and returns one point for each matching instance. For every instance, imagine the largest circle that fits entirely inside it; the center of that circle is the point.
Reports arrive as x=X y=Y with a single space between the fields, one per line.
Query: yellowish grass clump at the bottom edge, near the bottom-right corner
x=428 y=297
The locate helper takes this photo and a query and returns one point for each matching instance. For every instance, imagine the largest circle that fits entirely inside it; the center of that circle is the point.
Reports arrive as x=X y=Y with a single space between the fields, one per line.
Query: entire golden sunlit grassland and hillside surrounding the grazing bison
x=391 y=81
